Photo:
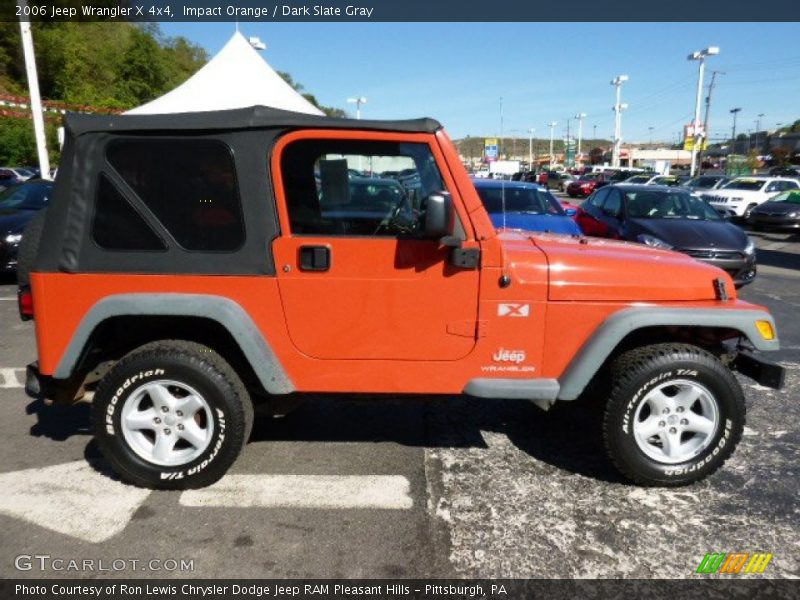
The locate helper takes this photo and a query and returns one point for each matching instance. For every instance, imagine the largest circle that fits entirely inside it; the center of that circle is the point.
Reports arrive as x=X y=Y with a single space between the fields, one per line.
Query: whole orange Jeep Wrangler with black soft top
x=190 y=266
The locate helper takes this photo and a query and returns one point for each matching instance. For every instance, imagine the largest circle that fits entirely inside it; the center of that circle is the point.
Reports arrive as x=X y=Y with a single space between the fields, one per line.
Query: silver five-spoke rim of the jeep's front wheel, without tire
x=676 y=421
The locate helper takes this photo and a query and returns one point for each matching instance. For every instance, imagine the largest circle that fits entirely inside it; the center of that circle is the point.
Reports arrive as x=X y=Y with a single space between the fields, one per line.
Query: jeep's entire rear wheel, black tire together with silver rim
x=171 y=415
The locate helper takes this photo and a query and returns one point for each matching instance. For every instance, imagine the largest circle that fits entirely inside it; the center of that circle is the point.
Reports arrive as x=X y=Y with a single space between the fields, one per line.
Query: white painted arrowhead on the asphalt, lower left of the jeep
x=72 y=498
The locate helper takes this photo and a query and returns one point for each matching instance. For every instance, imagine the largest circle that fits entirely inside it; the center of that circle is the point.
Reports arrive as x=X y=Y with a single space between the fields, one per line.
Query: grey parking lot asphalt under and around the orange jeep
x=459 y=486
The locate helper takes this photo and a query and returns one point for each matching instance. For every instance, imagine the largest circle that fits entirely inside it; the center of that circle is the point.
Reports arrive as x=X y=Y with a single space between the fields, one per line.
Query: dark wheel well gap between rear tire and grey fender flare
x=117 y=336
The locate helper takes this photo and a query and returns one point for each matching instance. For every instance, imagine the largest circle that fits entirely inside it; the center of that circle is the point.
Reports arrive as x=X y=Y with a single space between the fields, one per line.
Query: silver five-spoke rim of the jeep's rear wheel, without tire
x=167 y=423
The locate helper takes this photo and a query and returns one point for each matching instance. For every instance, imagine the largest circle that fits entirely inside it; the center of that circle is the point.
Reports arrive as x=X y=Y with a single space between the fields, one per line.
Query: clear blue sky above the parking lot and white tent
x=544 y=72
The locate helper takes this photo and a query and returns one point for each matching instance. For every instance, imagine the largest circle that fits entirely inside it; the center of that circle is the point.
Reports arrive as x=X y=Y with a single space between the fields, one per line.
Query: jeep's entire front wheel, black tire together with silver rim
x=674 y=416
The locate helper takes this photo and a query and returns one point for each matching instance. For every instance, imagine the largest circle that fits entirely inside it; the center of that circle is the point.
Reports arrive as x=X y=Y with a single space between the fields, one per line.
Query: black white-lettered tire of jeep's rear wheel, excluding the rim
x=190 y=364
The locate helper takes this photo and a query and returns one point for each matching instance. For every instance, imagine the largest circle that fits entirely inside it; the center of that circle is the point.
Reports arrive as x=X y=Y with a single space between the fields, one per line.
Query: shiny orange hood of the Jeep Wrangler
x=600 y=270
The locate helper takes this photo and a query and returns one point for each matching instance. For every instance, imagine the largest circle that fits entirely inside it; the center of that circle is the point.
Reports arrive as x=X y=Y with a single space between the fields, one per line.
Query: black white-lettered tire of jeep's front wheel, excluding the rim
x=636 y=373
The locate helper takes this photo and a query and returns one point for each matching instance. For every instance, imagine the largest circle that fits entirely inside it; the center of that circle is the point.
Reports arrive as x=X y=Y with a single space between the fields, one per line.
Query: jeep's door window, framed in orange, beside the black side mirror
x=358 y=188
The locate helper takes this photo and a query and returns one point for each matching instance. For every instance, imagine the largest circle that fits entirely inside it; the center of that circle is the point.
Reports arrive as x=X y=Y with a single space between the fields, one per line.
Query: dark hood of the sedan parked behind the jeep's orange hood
x=690 y=234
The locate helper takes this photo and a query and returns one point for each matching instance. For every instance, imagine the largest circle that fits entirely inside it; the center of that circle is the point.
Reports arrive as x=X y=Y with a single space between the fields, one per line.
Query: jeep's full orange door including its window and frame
x=354 y=284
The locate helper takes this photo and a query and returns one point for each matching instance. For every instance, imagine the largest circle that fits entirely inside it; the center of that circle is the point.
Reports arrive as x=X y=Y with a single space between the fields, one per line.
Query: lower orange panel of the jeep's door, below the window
x=379 y=299
